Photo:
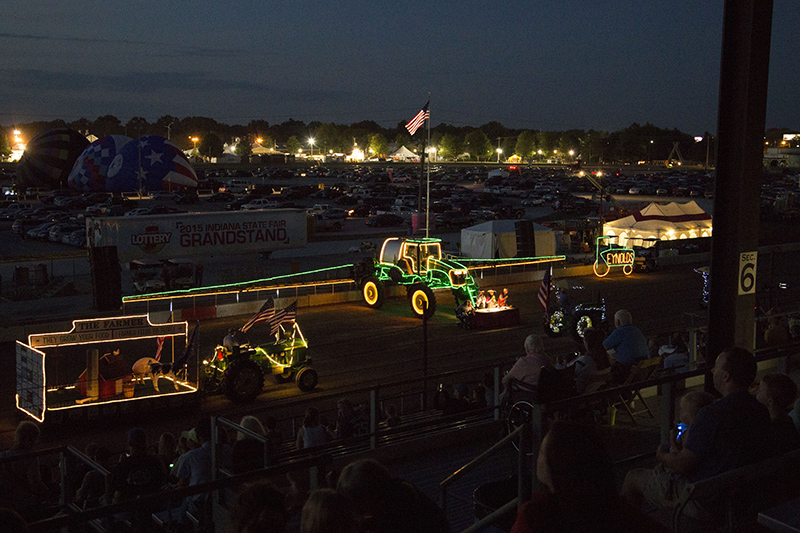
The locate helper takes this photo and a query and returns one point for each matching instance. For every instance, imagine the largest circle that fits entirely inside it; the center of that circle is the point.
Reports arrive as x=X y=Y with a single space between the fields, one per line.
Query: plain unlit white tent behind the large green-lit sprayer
x=497 y=239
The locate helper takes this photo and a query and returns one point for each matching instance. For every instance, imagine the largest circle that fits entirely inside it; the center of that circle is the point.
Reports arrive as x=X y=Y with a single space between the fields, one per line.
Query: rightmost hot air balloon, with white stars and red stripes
x=150 y=163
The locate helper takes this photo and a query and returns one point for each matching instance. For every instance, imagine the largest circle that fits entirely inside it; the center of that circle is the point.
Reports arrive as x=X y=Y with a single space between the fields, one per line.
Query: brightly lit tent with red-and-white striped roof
x=665 y=222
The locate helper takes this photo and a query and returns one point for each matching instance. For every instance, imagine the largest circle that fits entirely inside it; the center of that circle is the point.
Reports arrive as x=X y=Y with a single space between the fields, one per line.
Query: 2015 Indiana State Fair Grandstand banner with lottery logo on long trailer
x=199 y=234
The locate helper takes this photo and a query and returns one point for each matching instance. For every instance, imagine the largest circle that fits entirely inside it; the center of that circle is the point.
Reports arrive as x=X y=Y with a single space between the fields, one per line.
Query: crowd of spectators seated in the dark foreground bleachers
x=748 y=422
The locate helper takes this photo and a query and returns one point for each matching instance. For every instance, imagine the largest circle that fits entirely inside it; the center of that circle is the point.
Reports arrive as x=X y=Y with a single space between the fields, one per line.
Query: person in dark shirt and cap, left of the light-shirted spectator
x=138 y=472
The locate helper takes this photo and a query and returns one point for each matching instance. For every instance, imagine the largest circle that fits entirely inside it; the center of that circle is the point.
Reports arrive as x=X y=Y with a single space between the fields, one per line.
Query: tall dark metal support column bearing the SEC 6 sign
x=744 y=75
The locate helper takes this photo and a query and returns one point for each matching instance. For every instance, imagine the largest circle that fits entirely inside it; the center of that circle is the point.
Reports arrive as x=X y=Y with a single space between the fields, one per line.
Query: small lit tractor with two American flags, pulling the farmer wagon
x=239 y=373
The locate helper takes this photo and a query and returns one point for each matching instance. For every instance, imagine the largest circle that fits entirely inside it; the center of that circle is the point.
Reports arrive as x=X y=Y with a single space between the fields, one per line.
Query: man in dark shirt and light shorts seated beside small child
x=729 y=433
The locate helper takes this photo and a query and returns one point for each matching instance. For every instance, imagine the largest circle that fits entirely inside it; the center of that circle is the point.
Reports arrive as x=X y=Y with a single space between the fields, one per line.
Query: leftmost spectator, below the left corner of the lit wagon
x=21 y=480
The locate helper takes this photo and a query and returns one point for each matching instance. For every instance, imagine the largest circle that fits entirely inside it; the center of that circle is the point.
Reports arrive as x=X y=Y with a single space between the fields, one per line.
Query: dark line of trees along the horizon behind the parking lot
x=632 y=144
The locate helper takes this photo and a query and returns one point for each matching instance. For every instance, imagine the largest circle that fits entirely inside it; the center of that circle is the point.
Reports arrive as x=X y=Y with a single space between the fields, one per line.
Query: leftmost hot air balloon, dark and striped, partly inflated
x=49 y=157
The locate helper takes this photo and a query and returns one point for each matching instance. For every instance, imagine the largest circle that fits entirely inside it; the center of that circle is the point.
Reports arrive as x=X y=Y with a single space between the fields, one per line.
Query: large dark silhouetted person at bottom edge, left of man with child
x=579 y=492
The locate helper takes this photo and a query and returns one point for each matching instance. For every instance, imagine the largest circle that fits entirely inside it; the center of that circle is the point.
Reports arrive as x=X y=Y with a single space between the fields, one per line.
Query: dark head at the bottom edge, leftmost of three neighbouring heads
x=259 y=508
